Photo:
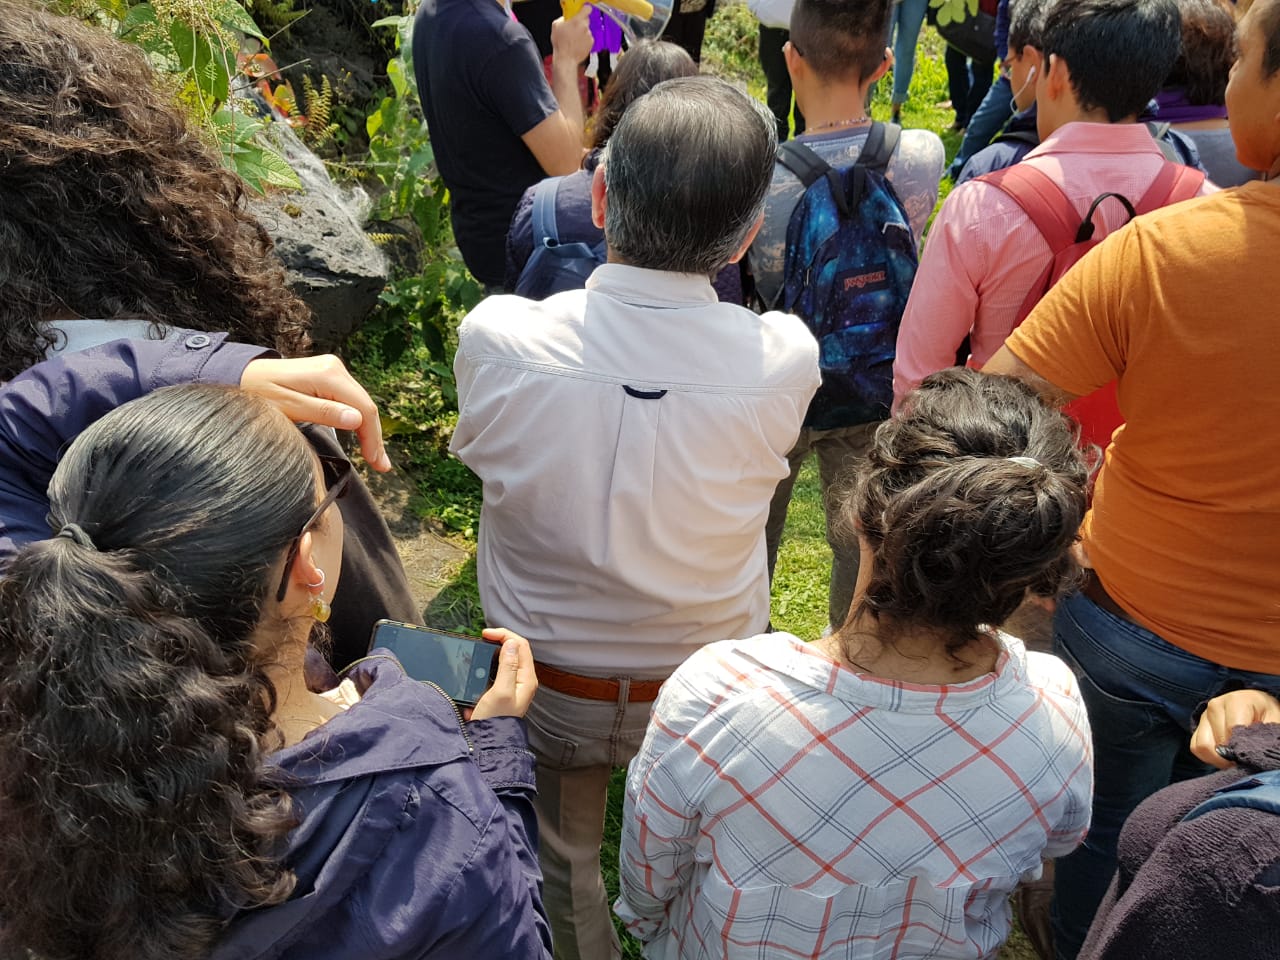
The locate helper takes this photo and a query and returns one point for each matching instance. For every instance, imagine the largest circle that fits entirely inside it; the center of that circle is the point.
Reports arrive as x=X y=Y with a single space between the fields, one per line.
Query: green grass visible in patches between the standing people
x=452 y=497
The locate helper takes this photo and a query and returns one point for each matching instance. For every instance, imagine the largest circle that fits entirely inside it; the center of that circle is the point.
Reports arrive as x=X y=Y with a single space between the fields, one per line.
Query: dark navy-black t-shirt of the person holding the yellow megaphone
x=483 y=88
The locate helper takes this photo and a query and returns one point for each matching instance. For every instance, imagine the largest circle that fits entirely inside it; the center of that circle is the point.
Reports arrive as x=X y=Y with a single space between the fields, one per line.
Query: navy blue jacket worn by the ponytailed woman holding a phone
x=418 y=836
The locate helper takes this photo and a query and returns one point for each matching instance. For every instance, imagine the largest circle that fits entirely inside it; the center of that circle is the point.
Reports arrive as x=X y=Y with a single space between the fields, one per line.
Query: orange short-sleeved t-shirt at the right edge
x=1183 y=307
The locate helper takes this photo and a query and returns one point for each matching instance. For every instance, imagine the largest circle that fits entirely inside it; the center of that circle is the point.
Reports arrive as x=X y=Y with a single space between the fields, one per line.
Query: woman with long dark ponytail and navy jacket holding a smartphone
x=168 y=784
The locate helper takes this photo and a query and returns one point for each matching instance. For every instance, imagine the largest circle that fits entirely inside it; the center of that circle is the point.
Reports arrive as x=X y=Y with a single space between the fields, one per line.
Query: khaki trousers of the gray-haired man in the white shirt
x=578 y=744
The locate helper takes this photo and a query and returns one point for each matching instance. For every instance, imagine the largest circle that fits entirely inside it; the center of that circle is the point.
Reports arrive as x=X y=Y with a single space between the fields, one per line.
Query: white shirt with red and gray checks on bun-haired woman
x=787 y=807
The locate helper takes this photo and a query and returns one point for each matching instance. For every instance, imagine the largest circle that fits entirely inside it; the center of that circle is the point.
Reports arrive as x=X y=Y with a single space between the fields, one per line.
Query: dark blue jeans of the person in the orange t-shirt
x=1141 y=693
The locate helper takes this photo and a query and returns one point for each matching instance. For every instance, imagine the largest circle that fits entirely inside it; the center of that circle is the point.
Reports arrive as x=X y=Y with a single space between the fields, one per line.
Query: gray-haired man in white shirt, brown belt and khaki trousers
x=629 y=438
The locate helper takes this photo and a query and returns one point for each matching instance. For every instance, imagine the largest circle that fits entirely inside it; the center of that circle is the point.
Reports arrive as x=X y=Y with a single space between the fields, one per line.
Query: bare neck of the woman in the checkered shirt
x=913 y=655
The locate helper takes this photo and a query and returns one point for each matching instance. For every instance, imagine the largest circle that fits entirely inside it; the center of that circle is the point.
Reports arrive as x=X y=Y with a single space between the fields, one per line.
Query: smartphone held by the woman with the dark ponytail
x=464 y=668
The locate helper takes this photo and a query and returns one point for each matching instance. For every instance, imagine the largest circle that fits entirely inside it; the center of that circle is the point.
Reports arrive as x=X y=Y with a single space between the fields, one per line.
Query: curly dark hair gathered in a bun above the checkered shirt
x=959 y=533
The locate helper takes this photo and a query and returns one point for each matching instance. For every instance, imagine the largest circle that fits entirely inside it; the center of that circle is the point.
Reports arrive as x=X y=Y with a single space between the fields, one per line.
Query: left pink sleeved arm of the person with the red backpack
x=944 y=300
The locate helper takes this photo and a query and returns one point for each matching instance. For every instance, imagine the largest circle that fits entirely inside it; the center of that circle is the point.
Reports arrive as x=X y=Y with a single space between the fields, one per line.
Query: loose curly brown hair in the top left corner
x=112 y=207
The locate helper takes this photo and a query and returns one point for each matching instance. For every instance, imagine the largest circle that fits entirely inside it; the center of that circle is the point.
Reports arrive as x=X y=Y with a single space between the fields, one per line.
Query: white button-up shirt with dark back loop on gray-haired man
x=629 y=438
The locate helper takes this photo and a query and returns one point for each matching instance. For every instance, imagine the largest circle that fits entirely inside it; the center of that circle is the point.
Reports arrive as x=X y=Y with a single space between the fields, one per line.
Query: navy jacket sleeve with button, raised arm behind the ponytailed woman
x=48 y=406
